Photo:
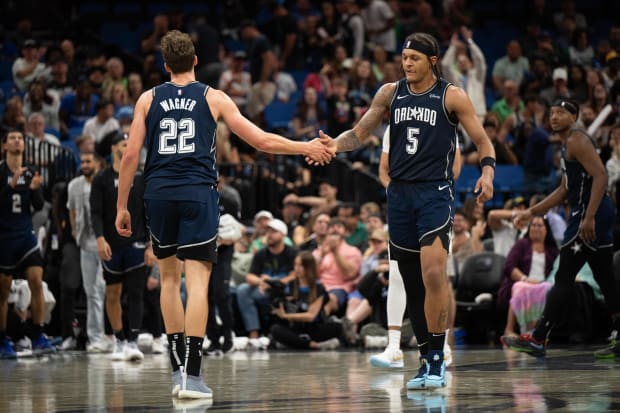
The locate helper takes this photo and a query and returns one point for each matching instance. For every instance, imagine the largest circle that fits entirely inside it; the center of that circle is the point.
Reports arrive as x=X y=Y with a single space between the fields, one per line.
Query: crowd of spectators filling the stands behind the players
x=324 y=61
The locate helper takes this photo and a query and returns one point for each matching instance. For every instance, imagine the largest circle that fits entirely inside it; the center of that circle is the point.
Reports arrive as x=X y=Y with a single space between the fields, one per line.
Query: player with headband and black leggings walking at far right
x=589 y=233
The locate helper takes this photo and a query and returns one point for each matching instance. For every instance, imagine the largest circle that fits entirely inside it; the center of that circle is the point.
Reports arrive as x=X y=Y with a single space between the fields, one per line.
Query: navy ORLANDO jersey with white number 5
x=422 y=134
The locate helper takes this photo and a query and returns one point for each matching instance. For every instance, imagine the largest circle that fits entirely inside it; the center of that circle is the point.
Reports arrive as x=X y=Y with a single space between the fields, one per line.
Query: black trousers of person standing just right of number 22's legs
x=220 y=298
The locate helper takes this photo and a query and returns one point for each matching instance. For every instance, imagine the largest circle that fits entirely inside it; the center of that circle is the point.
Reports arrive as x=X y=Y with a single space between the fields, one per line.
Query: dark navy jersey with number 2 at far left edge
x=15 y=214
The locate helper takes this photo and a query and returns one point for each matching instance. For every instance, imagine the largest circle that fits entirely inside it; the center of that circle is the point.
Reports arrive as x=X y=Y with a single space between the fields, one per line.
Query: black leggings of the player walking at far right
x=572 y=257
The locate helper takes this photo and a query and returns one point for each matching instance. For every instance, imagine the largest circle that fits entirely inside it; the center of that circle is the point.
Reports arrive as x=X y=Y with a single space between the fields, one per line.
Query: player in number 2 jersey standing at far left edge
x=20 y=188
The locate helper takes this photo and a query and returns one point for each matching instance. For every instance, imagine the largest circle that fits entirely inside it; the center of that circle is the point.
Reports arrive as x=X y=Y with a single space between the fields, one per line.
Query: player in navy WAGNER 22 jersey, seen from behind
x=178 y=119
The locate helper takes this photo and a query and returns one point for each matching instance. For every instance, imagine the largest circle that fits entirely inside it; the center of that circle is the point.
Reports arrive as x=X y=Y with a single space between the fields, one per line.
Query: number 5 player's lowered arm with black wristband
x=458 y=102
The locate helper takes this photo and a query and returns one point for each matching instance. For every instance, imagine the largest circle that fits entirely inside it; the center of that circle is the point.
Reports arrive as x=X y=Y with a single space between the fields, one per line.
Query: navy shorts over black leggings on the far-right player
x=604 y=219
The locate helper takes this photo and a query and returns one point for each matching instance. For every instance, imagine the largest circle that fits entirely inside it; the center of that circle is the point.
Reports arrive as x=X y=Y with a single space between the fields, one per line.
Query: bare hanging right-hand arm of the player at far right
x=579 y=146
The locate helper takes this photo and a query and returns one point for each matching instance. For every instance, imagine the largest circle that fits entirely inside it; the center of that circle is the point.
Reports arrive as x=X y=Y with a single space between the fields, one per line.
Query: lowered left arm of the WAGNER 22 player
x=130 y=161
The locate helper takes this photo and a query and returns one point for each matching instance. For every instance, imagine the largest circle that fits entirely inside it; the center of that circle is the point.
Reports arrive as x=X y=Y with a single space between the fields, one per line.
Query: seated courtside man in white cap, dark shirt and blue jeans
x=274 y=262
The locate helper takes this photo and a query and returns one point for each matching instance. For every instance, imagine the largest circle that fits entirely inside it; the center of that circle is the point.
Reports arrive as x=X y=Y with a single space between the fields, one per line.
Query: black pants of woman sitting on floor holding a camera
x=299 y=336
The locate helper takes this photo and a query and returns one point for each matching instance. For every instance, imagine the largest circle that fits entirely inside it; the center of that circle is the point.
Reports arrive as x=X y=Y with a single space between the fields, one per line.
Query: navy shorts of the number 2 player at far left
x=18 y=252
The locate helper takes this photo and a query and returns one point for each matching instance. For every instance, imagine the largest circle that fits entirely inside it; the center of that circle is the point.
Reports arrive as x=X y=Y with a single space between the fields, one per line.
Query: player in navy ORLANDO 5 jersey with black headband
x=424 y=113
